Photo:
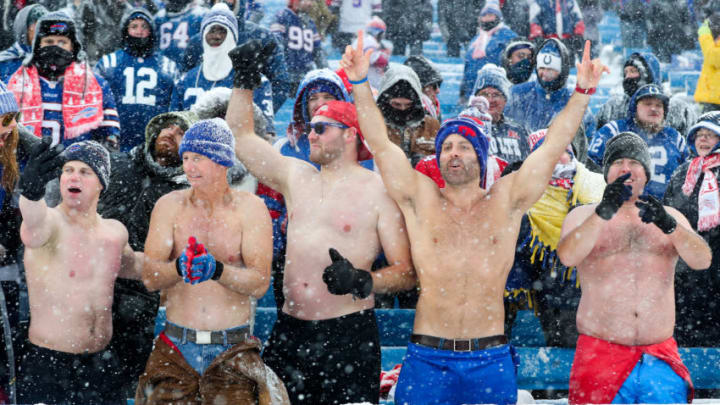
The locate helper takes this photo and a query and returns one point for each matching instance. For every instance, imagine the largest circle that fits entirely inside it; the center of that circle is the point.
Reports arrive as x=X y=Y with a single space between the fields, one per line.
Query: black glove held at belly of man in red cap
x=342 y=278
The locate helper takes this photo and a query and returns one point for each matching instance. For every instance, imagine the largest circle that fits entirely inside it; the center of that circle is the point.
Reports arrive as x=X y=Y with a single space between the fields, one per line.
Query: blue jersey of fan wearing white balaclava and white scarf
x=194 y=83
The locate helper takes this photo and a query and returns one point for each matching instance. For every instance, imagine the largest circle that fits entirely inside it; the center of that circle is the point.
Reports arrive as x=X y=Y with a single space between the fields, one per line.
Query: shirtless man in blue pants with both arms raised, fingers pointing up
x=463 y=241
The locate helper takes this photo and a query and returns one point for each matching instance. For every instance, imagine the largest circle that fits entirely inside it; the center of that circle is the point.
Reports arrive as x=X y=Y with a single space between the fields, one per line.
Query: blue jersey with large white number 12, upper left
x=142 y=88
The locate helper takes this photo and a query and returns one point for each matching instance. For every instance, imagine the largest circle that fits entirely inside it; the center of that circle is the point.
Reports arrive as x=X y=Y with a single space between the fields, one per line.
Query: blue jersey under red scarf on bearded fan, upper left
x=52 y=124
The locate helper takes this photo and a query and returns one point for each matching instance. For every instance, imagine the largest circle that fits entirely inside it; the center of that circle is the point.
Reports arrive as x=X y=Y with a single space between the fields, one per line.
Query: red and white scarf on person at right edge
x=708 y=199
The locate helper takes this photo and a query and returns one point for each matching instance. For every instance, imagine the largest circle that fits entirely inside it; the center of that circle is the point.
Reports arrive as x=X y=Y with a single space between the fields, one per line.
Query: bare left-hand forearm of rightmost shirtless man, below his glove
x=580 y=232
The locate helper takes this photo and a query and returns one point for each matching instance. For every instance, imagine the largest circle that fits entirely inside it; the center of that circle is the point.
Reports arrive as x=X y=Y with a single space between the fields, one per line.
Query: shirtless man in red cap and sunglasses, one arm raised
x=325 y=344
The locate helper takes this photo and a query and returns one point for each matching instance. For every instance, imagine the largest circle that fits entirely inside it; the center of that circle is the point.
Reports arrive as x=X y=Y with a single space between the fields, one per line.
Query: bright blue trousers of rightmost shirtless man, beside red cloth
x=652 y=381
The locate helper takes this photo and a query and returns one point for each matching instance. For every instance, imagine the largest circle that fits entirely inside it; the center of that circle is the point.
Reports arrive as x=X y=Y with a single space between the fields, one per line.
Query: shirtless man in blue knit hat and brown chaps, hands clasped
x=206 y=352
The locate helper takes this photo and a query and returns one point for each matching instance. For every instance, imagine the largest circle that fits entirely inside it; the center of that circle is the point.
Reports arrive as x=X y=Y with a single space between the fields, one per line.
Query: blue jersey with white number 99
x=300 y=38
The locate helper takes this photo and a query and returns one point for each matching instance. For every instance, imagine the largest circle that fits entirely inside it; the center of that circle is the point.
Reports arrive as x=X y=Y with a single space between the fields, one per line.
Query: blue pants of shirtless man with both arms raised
x=433 y=376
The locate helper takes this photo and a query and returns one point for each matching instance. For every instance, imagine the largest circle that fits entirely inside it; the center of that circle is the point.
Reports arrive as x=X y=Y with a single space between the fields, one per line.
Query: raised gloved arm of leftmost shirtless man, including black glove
x=39 y=221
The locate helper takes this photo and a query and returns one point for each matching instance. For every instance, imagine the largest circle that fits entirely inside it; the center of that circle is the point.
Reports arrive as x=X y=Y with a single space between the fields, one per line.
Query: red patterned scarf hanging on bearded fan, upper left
x=82 y=99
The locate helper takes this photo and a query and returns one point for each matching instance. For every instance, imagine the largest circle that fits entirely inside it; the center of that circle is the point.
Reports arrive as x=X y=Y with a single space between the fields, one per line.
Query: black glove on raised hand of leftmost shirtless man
x=43 y=165
